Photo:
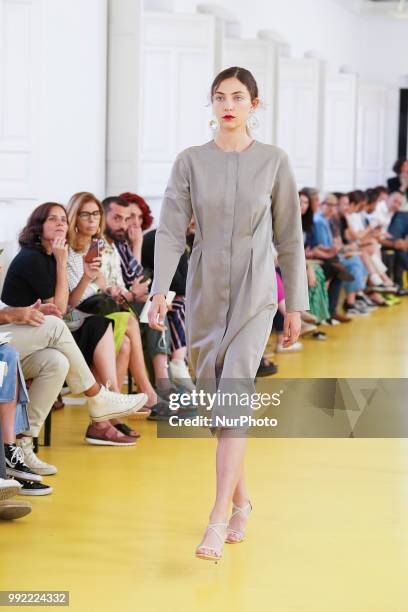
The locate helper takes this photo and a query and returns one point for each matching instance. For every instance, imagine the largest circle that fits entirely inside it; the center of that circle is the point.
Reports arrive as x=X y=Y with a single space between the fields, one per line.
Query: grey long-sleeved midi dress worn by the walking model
x=243 y=204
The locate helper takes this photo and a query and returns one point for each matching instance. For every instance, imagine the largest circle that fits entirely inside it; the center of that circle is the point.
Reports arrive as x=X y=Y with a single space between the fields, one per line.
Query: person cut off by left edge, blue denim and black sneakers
x=14 y=420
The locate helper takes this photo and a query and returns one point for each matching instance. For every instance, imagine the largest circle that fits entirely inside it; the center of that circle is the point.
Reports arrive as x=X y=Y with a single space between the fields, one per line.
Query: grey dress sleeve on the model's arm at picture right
x=288 y=237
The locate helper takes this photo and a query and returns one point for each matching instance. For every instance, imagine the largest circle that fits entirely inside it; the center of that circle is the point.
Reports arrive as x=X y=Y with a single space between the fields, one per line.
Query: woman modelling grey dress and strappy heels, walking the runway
x=243 y=197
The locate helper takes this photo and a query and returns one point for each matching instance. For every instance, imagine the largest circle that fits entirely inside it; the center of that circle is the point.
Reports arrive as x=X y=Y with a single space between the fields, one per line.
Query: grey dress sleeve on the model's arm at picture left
x=175 y=215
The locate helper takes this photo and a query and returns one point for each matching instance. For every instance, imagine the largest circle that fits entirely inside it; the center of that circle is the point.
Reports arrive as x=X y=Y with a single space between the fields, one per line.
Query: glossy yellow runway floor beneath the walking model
x=328 y=533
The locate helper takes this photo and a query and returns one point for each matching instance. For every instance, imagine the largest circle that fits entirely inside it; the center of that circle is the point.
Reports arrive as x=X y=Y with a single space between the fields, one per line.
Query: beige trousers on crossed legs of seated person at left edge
x=49 y=355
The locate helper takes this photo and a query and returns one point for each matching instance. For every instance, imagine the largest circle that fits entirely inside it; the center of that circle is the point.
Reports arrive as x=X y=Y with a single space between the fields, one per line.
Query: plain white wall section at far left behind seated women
x=52 y=104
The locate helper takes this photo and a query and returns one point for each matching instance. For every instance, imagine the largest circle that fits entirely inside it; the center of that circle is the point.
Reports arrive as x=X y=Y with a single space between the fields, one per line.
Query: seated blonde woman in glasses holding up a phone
x=87 y=221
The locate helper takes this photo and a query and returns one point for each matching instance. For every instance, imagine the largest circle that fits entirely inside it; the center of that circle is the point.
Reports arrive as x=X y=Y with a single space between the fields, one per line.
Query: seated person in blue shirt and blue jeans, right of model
x=323 y=239
